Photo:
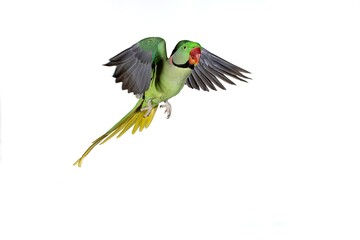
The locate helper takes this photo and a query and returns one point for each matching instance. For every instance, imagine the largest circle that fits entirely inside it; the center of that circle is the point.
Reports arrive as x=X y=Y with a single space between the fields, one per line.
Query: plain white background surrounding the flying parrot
x=277 y=158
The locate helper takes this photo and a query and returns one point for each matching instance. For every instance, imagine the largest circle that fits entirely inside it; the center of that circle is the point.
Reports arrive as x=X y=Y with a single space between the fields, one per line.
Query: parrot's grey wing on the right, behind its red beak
x=210 y=69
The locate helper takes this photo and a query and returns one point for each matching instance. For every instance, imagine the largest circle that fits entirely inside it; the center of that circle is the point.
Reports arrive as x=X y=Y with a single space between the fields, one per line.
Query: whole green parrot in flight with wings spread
x=145 y=70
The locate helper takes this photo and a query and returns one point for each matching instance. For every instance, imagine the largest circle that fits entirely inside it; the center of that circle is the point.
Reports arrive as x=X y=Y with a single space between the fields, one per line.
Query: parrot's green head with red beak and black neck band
x=186 y=54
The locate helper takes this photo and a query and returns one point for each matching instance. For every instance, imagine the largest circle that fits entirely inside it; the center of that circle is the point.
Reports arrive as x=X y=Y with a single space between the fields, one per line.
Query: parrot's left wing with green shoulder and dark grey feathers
x=135 y=65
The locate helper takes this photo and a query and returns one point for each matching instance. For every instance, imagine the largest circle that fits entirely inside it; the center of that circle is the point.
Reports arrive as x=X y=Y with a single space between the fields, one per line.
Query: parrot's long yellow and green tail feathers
x=134 y=118
